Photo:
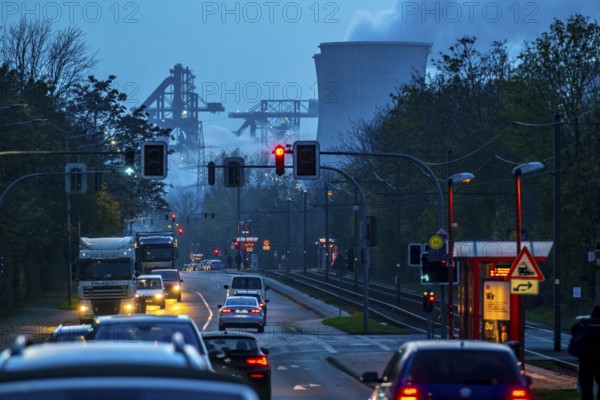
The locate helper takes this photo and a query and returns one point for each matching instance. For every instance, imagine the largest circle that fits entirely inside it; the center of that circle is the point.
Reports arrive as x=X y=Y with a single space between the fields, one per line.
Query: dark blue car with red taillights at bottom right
x=451 y=370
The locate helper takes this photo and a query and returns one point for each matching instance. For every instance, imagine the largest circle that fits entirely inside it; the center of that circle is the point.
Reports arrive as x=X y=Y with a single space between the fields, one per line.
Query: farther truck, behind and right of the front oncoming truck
x=155 y=250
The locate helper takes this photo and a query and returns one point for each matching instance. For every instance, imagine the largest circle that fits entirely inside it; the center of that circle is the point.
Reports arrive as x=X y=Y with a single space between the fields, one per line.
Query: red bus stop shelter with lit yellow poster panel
x=486 y=307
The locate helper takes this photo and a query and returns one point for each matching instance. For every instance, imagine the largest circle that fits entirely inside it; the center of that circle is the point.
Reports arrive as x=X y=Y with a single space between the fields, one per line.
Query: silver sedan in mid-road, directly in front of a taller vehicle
x=241 y=312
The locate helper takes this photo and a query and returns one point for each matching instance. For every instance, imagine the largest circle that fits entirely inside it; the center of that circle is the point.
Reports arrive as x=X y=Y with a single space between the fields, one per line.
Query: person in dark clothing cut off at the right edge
x=588 y=330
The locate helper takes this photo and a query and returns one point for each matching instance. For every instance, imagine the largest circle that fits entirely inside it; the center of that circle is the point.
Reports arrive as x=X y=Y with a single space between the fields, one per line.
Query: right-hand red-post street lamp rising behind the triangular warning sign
x=518 y=324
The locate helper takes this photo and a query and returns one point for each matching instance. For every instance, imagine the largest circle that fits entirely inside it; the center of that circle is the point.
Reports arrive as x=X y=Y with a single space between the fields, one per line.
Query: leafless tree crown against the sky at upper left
x=59 y=59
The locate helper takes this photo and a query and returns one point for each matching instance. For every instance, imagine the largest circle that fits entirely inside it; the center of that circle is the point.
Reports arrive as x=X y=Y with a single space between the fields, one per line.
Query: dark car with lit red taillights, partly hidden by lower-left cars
x=239 y=354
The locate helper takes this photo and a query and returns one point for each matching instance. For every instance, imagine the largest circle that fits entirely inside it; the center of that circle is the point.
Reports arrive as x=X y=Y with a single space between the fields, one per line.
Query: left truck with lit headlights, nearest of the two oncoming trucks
x=106 y=277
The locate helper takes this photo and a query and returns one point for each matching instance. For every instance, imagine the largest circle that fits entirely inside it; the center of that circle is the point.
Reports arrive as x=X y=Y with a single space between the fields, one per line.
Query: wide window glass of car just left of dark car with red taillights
x=128 y=331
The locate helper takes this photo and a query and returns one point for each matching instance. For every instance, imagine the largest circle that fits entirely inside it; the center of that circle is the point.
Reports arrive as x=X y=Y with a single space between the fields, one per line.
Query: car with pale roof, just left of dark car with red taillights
x=159 y=328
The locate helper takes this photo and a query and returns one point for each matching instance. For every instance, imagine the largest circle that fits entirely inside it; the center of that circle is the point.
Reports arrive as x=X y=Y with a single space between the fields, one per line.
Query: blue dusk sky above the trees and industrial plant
x=245 y=51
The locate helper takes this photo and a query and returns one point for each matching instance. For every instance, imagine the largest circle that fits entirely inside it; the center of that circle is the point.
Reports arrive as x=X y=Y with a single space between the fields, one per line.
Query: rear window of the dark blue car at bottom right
x=462 y=367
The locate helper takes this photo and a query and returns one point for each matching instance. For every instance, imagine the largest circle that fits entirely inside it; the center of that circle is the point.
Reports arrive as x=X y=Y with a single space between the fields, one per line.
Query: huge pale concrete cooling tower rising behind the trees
x=355 y=79
